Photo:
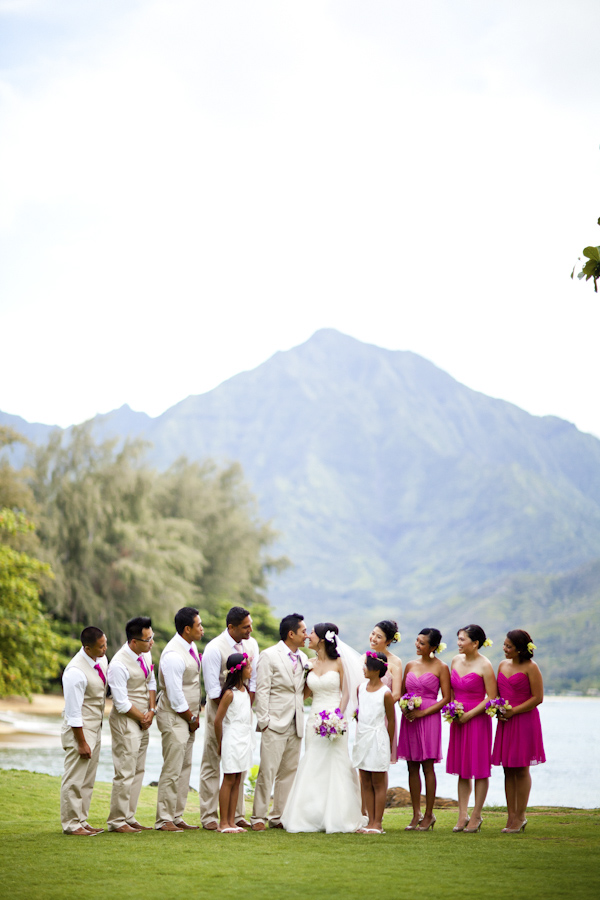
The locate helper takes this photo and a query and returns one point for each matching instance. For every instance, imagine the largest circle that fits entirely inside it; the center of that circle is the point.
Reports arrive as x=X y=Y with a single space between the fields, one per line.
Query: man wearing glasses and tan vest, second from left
x=133 y=687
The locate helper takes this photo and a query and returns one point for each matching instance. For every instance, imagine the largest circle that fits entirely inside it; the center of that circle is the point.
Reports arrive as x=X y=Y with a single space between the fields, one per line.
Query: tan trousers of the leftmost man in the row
x=78 y=780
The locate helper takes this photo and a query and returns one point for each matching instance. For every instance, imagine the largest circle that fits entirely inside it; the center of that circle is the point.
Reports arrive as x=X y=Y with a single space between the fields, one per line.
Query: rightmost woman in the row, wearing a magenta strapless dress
x=518 y=743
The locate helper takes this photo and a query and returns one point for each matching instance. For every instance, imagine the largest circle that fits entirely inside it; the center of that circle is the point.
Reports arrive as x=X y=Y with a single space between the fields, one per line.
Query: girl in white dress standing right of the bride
x=374 y=739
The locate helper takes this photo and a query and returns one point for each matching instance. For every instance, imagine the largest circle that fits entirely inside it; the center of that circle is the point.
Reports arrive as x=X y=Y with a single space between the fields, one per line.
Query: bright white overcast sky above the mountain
x=188 y=187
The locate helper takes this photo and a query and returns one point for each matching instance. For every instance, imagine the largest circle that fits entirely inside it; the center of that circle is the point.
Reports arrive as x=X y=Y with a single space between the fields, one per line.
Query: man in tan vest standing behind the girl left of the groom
x=235 y=638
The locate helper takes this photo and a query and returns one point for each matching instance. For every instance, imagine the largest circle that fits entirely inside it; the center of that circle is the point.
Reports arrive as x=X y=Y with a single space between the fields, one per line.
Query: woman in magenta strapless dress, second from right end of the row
x=469 y=752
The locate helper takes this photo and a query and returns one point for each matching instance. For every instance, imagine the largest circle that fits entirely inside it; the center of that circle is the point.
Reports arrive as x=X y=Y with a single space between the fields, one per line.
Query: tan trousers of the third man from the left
x=174 y=781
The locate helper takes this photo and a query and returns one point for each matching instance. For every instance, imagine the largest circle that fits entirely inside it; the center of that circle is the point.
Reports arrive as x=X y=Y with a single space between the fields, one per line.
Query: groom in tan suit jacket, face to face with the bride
x=279 y=708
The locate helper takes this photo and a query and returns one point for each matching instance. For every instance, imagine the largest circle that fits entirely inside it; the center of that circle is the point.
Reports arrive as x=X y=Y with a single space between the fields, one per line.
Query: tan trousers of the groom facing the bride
x=279 y=757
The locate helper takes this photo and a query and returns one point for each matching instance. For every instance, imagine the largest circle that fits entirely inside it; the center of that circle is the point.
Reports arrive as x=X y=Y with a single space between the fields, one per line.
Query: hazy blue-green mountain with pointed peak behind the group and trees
x=394 y=487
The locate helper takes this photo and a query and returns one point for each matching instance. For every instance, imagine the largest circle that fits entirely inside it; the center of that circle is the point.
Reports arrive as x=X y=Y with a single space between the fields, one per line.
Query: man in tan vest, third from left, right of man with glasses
x=177 y=714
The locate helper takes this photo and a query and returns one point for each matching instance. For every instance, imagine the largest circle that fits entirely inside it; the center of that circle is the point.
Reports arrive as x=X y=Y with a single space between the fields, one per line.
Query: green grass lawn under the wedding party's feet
x=557 y=856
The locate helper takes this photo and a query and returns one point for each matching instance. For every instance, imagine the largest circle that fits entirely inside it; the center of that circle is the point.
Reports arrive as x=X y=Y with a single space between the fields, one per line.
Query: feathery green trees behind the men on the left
x=90 y=534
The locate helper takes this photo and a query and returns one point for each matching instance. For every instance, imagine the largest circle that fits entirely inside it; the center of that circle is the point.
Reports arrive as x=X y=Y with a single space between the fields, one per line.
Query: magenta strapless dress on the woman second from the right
x=470 y=747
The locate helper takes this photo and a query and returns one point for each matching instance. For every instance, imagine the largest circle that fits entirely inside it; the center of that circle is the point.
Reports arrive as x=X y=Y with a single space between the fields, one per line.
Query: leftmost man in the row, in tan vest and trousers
x=84 y=687
